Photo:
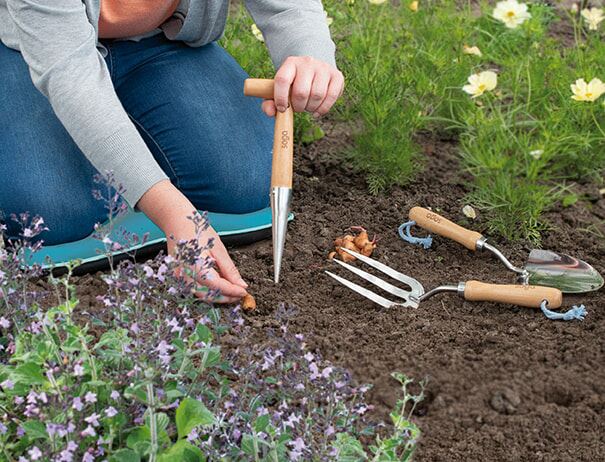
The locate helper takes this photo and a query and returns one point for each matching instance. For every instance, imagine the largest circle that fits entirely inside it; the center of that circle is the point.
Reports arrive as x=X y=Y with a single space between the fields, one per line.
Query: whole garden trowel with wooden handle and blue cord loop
x=543 y=268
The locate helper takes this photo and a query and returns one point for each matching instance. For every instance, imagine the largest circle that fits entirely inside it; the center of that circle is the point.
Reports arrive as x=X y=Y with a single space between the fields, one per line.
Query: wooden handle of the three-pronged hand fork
x=530 y=296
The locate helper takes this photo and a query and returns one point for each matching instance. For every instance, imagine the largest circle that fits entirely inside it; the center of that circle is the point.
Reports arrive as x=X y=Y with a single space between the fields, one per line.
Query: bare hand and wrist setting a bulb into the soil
x=168 y=208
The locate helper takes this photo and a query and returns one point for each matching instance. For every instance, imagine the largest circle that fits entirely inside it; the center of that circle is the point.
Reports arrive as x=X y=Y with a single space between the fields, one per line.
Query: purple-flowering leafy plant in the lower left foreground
x=158 y=374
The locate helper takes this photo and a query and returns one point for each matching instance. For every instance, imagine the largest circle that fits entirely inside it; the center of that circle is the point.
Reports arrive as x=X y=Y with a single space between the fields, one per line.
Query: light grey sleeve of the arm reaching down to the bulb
x=58 y=43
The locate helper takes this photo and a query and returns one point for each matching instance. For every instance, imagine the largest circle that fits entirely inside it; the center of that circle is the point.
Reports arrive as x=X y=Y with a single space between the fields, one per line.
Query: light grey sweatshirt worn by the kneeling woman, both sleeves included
x=59 y=41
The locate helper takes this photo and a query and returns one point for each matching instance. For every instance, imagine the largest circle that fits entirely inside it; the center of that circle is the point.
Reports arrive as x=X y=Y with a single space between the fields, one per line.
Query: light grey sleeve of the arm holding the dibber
x=293 y=28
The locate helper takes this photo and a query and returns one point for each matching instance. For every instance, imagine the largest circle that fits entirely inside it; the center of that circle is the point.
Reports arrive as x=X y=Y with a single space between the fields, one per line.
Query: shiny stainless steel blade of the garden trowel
x=566 y=273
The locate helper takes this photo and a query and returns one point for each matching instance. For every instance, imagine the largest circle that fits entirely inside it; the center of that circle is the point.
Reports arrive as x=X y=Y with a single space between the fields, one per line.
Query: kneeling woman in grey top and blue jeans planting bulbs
x=142 y=89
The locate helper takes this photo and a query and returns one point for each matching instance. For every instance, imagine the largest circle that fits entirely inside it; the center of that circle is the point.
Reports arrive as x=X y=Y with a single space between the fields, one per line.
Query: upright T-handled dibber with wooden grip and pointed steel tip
x=281 y=173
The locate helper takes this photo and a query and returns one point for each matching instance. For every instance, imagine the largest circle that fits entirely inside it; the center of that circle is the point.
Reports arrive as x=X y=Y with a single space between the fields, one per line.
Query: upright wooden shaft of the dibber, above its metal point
x=283 y=149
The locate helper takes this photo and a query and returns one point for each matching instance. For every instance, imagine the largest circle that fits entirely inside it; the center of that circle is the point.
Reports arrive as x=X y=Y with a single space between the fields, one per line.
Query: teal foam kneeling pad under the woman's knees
x=90 y=249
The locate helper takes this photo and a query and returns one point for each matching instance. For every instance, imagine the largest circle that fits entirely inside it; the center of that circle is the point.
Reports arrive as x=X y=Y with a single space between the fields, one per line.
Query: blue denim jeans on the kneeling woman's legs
x=212 y=141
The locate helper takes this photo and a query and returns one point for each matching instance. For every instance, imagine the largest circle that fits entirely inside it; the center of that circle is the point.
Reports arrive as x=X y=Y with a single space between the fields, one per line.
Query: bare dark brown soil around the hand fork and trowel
x=504 y=383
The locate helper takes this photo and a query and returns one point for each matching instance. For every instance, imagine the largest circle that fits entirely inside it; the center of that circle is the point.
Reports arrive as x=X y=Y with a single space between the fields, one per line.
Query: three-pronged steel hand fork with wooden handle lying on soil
x=521 y=295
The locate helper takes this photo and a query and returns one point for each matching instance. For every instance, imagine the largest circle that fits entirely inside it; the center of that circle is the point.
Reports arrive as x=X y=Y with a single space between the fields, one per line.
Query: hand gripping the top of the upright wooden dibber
x=316 y=86
